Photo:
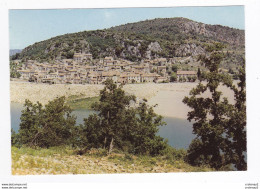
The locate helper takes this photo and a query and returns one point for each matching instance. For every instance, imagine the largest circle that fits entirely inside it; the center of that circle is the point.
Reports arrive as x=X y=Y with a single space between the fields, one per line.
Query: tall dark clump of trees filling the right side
x=219 y=126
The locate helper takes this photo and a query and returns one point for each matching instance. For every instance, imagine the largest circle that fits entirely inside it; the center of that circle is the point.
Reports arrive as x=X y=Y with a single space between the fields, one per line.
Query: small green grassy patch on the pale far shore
x=79 y=102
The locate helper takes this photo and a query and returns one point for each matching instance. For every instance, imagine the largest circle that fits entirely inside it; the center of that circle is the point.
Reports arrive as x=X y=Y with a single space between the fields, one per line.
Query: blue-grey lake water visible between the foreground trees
x=177 y=131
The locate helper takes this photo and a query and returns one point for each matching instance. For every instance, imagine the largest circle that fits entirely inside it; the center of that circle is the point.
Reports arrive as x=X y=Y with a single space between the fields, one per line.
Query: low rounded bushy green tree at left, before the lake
x=46 y=127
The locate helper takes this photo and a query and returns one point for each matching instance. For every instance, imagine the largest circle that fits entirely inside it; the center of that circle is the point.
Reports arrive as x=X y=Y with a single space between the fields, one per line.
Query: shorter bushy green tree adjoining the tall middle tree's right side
x=142 y=132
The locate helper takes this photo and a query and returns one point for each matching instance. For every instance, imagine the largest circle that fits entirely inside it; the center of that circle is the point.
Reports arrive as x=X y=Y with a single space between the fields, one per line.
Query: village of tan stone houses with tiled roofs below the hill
x=82 y=70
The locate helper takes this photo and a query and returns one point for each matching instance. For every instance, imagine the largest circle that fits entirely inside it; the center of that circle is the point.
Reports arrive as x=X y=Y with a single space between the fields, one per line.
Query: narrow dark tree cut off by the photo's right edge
x=236 y=125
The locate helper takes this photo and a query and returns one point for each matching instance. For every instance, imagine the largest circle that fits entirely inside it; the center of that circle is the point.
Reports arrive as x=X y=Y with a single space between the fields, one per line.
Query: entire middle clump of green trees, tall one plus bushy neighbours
x=120 y=125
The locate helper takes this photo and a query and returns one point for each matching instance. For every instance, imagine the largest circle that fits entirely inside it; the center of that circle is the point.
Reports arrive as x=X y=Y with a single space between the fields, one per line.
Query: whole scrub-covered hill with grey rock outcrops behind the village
x=164 y=37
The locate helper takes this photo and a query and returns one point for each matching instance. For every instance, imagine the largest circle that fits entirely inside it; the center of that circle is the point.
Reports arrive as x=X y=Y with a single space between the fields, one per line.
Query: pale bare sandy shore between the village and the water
x=168 y=96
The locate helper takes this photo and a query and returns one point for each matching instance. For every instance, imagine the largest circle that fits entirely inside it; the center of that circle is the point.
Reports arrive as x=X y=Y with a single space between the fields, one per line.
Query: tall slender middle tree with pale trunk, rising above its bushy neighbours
x=112 y=109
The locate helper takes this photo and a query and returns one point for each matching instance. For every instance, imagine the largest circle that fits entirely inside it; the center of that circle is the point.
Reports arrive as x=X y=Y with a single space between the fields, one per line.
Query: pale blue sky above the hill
x=29 y=26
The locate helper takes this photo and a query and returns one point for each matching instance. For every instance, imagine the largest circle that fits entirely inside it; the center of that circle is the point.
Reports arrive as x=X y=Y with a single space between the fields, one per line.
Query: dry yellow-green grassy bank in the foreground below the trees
x=64 y=160
